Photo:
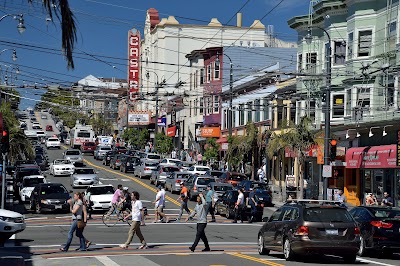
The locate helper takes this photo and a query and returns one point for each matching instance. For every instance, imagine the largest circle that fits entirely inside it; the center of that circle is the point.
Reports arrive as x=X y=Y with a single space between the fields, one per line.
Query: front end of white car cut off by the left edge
x=11 y=223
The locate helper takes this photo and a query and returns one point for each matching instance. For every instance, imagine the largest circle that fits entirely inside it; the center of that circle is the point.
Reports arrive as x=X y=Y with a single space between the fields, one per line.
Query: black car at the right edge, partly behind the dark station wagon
x=380 y=229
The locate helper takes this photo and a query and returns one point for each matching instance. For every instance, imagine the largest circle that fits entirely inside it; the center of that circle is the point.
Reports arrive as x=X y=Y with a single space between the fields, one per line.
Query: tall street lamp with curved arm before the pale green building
x=327 y=104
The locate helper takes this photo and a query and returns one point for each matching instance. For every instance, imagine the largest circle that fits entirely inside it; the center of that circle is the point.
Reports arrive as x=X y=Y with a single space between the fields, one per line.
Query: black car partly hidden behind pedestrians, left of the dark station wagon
x=225 y=205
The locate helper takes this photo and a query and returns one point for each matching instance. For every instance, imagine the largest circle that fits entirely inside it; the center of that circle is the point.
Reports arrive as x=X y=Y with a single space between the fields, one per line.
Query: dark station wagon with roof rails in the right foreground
x=301 y=227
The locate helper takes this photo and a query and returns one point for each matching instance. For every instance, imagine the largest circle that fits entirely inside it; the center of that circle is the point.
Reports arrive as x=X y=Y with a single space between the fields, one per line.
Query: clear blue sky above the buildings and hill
x=102 y=32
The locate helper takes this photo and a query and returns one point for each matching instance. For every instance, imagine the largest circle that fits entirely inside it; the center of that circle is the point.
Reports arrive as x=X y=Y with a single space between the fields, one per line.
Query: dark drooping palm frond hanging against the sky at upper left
x=61 y=9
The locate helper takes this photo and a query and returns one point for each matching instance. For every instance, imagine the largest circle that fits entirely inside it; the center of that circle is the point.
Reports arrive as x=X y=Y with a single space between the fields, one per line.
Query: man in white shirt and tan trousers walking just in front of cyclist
x=137 y=217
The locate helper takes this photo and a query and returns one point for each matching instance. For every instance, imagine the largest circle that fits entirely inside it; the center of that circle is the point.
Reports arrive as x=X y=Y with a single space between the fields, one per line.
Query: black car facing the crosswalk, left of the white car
x=49 y=197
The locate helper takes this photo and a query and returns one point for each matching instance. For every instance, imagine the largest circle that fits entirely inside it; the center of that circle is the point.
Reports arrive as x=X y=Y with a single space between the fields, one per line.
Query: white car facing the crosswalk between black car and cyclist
x=100 y=196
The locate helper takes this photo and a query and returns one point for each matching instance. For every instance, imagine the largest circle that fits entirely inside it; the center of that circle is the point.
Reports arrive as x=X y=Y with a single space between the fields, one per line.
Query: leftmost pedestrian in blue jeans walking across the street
x=79 y=217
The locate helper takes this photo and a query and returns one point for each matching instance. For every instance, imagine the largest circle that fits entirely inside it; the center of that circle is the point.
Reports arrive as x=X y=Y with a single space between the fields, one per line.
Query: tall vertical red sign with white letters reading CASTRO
x=133 y=64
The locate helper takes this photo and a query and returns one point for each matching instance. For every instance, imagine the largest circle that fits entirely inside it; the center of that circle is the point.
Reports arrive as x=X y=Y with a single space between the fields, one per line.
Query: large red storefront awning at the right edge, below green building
x=384 y=156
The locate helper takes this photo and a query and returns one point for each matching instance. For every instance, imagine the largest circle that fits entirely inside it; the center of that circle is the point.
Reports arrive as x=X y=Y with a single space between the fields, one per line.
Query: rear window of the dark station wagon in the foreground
x=327 y=215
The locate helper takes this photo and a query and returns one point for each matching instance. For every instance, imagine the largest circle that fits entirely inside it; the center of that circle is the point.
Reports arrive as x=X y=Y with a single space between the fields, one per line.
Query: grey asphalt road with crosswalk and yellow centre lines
x=231 y=244
